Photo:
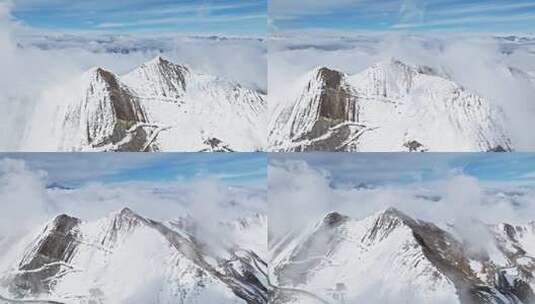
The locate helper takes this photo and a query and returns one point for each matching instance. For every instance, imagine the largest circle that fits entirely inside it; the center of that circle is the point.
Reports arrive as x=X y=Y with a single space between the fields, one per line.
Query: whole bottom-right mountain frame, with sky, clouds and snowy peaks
x=401 y=228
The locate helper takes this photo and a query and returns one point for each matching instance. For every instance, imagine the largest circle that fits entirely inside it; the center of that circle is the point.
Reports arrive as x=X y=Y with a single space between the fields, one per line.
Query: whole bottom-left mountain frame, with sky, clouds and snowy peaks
x=134 y=228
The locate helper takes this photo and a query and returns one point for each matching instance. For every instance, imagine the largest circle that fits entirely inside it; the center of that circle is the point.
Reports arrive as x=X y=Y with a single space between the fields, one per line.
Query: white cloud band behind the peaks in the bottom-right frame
x=299 y=194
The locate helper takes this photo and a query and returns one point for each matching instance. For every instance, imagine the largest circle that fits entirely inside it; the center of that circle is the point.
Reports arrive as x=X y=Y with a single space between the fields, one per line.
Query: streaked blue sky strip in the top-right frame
x=413 y=15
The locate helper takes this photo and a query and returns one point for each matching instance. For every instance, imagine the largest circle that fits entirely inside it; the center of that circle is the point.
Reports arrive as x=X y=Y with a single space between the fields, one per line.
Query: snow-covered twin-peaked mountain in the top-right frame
x=391 y=106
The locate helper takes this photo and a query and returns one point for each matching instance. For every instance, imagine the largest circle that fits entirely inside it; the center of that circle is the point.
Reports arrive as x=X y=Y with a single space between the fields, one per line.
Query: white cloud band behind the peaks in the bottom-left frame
x=27 y=204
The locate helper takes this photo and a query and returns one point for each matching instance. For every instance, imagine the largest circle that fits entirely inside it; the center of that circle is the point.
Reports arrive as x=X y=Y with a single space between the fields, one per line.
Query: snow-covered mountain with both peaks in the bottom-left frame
x=127 y=258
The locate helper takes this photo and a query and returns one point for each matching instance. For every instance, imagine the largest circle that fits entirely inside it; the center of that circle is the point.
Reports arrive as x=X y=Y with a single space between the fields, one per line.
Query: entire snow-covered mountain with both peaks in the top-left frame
x=159 y=106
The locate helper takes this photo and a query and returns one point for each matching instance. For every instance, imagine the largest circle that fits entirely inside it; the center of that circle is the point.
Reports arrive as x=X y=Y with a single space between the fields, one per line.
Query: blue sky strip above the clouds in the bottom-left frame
x=74 y=169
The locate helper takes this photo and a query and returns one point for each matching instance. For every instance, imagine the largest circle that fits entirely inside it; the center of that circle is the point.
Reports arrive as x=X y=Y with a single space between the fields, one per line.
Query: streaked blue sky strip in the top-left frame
x=233 y=17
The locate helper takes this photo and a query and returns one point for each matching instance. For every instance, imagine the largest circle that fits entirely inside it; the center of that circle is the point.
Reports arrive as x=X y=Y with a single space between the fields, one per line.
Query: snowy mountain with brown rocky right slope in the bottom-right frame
x=391 y=258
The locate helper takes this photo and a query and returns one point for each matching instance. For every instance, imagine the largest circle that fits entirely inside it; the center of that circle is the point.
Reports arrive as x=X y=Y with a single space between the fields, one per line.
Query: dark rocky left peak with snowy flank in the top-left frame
x=108 y=113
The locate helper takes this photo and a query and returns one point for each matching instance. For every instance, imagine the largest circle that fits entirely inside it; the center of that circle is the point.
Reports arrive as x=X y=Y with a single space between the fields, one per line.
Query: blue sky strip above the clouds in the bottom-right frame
x=417 y=167
